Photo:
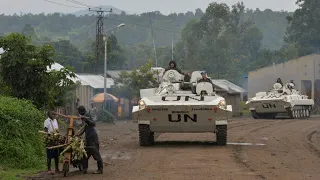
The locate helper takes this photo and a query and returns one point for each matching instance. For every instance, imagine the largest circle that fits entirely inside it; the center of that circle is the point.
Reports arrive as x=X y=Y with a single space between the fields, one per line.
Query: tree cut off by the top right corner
x=304 y=29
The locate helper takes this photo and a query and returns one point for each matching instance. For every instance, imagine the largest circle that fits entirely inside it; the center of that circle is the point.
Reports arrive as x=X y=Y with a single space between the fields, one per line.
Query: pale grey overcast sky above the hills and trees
x=135 y=6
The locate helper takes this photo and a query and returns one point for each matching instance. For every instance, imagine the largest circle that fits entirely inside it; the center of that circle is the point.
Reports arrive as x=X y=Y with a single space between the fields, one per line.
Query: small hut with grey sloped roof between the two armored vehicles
x=231 y=92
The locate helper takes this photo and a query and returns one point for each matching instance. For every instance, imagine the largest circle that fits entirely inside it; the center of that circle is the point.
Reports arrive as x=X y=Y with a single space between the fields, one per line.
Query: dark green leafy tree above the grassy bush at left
x=24 y=70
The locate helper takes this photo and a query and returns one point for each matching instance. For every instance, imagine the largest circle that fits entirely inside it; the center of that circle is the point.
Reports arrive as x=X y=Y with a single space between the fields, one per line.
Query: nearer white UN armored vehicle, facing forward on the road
x=180 y=105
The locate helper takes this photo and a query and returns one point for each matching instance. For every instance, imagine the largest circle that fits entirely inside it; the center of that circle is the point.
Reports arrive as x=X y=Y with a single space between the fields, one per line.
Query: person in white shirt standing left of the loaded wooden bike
x=51 y=126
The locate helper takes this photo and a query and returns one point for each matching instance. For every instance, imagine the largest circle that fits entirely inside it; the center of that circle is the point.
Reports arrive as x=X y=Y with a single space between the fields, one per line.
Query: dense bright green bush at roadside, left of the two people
x=21 y=145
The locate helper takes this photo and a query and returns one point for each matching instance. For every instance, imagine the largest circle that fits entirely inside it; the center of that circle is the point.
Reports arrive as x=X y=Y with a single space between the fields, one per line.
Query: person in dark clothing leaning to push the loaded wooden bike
x=92 y=141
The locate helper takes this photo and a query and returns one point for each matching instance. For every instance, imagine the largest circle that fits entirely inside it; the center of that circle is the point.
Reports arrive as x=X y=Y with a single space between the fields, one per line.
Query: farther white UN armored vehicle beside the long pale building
x=280 y=100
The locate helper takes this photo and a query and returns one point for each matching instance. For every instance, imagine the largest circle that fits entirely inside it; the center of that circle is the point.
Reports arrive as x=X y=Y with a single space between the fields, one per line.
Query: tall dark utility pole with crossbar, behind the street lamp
x=99 y=35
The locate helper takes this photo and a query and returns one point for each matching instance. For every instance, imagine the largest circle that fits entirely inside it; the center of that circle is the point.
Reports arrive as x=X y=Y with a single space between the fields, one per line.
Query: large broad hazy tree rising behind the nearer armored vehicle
x=222 y=42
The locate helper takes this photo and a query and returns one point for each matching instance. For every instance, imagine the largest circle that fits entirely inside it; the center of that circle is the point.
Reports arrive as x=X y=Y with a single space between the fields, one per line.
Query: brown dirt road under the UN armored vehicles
x=285 y=149
